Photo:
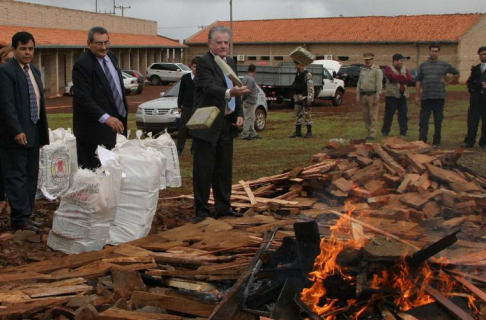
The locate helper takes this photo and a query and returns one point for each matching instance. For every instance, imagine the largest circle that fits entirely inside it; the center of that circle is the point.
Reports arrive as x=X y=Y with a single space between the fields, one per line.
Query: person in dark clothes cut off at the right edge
x=476 y=85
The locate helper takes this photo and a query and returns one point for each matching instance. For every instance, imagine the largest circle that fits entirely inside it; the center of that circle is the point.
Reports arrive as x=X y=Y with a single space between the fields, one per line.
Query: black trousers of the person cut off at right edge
x=476 y=112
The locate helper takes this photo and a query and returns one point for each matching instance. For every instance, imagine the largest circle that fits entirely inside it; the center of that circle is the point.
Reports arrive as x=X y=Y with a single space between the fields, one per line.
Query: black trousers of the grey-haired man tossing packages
x=213 y=167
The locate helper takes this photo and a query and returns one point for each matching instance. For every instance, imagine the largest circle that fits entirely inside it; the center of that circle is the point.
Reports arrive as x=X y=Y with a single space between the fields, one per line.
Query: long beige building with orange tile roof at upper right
x=346 y=38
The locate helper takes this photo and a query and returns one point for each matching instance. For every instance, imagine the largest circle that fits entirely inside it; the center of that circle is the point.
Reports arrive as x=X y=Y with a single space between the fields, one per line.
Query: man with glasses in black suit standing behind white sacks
x=100 y=106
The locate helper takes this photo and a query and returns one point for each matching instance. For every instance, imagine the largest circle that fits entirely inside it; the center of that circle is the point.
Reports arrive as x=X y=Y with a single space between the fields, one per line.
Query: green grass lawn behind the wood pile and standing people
x=277 y=152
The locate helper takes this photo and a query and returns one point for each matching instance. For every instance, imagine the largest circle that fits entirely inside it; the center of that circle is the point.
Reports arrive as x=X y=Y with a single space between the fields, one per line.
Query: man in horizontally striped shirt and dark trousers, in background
x=431 y=81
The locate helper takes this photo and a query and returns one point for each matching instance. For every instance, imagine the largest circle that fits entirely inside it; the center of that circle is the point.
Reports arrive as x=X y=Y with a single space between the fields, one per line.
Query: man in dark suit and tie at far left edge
x=23 y=129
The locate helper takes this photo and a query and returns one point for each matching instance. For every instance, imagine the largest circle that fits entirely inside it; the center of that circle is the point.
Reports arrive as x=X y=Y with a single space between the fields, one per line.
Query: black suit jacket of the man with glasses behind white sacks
x=92 y=98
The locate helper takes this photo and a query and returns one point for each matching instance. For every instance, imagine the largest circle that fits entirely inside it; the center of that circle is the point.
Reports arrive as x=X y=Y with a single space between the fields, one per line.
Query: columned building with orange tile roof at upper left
x=61 y=35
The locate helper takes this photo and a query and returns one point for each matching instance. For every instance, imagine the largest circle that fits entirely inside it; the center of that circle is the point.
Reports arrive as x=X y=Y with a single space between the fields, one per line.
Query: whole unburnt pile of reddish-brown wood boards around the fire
x=405 y=195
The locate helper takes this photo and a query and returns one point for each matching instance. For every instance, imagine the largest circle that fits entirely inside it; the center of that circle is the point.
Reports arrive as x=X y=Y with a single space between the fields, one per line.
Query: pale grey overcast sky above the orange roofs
x=179 y=19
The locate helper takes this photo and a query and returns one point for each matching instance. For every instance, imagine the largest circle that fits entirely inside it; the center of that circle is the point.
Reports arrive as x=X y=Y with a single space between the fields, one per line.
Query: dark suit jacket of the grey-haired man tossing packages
x=210 y=89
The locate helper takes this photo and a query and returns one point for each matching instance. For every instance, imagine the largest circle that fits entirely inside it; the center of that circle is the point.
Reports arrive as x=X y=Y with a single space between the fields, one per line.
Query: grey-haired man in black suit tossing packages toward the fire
x=213 y=147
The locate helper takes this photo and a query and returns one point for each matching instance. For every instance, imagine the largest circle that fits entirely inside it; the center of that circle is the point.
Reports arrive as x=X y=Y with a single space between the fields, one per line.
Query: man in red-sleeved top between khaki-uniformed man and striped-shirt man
x=397 y=79
